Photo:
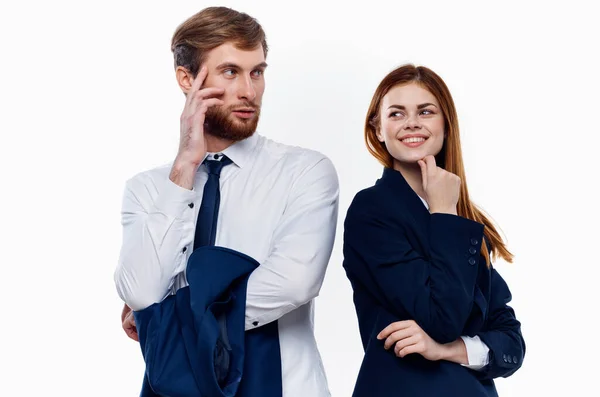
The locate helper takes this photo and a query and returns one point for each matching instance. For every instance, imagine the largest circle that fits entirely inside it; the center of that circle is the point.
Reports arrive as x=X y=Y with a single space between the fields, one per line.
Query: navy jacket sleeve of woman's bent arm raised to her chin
x=436 y=290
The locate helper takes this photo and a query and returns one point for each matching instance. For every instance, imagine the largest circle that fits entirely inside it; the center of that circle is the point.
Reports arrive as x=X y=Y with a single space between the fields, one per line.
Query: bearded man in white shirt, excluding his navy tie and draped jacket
x=278 y=203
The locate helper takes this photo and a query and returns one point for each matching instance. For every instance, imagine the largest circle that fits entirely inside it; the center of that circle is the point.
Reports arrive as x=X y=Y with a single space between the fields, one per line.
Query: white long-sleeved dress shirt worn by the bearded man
x=279 y=205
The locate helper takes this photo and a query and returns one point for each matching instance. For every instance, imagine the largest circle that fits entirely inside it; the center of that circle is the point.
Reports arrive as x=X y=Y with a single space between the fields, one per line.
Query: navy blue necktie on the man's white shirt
x=206 y=226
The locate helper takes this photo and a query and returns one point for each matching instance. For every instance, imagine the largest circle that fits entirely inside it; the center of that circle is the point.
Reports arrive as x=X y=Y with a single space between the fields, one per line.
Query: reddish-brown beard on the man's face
x=221 y=122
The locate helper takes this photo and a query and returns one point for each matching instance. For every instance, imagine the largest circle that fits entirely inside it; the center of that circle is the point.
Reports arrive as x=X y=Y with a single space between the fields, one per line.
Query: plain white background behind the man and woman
x=88 y=98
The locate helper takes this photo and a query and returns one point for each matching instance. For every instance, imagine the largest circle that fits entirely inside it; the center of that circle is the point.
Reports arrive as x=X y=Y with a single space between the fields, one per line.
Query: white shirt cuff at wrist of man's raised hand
x=176 y=201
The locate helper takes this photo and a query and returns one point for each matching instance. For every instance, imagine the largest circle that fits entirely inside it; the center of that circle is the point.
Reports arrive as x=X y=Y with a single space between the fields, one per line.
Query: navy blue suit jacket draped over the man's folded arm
x=194 y=343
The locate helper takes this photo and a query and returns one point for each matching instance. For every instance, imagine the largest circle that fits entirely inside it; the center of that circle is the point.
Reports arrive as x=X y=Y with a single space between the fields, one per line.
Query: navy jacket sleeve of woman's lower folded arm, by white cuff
x=502 y=333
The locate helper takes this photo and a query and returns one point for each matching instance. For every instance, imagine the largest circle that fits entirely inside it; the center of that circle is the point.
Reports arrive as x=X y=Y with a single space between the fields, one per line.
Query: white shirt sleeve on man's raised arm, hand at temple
x=158 y=228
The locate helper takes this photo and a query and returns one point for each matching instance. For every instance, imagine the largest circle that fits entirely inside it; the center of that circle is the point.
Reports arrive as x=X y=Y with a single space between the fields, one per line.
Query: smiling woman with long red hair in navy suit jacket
x=432 y=310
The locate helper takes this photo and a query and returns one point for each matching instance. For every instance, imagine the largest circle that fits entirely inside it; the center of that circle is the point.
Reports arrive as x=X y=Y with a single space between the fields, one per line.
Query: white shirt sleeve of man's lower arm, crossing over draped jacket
x=293 y=273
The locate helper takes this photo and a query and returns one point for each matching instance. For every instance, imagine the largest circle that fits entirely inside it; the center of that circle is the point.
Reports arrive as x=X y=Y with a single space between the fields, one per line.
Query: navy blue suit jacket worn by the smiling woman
x=407 y=264
